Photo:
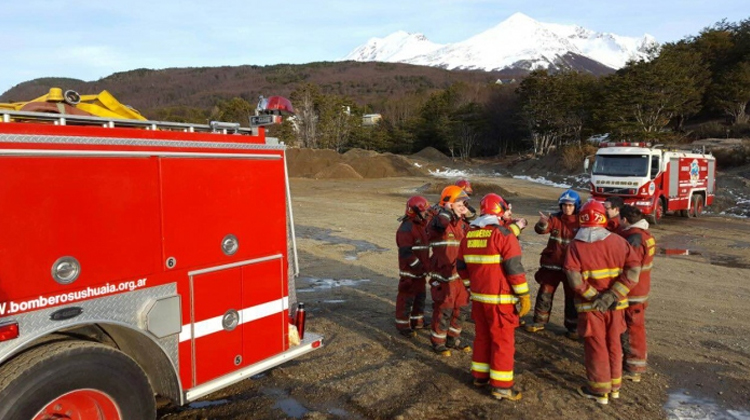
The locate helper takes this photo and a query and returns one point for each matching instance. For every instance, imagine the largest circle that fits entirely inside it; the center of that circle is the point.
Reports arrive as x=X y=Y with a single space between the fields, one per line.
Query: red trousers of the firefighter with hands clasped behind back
x=602 y=349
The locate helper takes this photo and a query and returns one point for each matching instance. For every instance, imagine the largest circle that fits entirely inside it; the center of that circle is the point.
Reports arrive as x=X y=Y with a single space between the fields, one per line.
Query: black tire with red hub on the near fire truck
x=55 y=380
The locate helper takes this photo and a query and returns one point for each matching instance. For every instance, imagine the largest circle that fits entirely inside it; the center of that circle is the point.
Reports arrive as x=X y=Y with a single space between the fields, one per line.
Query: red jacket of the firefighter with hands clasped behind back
x=599 y=261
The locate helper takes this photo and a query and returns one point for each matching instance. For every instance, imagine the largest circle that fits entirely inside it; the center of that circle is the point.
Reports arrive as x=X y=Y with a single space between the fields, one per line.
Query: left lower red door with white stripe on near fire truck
x=217 y=335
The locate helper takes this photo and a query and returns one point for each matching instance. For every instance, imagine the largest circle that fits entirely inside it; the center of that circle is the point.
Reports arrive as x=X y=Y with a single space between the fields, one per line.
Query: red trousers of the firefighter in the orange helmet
x=447 y=301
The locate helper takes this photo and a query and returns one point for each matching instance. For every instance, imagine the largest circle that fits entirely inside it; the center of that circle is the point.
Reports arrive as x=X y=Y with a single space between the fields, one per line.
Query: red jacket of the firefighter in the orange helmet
x=445 y=231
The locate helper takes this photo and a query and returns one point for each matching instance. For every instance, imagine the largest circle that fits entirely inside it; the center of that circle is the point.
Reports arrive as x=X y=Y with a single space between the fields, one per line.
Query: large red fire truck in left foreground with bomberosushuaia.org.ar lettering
x=138 y=258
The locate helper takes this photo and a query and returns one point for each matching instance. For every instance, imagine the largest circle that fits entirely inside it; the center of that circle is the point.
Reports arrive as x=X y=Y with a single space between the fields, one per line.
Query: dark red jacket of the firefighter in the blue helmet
x=562 y=229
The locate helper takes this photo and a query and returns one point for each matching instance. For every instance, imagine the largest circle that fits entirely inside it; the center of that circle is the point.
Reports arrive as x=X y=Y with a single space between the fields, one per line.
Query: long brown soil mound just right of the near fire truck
x=354 y=164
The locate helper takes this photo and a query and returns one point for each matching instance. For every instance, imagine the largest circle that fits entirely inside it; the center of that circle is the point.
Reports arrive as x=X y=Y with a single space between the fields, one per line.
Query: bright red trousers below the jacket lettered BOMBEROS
x=494 y=343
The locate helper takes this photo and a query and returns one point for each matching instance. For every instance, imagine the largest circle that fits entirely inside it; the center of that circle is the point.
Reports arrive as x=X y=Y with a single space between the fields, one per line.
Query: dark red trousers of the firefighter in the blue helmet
x=548 y=281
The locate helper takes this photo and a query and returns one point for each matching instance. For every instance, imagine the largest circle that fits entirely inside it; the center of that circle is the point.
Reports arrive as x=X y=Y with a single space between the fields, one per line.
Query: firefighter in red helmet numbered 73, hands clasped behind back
x=601 y=268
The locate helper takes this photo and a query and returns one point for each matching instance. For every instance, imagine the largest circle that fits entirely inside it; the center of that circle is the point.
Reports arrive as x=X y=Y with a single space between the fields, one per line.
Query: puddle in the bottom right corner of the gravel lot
x=681 y=406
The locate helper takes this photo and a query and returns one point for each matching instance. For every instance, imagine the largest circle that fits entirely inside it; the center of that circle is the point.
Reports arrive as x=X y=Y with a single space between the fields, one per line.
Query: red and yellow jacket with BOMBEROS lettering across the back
x=490 y=256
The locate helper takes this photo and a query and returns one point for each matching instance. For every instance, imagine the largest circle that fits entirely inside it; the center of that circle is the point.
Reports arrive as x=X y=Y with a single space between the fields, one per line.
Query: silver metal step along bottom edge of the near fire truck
x=310 y=343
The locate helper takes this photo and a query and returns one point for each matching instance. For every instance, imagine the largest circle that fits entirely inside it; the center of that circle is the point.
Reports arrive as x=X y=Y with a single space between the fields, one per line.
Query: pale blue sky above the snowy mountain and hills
x=92 y=39
